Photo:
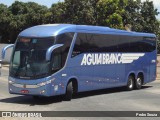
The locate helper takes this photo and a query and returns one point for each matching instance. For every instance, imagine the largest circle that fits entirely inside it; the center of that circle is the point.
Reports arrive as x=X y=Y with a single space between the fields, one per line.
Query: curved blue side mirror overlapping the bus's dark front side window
x=50 y=50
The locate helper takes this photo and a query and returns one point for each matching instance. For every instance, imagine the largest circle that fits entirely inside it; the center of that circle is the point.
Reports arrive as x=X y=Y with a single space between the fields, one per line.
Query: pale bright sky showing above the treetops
x=48 y=3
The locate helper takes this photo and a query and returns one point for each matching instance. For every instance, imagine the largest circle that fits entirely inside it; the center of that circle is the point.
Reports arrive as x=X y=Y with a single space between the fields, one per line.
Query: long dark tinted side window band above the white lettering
x=112 y=43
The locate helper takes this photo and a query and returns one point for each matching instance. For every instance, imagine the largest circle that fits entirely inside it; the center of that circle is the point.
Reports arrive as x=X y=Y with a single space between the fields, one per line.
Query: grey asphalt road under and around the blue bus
x=117 y=99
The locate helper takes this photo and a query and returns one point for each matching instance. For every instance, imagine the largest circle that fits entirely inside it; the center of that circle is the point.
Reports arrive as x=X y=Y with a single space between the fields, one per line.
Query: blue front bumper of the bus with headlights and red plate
x=46 y=88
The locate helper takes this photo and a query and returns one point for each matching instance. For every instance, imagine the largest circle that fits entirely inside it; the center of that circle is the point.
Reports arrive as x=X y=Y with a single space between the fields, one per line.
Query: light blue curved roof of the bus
x=49 y=30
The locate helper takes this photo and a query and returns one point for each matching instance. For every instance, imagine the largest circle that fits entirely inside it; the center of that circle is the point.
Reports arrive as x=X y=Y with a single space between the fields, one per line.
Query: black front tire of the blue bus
x=69 y=92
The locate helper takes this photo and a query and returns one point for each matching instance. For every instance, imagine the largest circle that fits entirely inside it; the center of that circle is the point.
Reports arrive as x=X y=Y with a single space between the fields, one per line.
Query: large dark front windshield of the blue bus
x=28 y=60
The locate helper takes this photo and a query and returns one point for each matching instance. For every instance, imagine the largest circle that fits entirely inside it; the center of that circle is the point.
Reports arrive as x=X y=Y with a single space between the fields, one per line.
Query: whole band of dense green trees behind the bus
x=111 y=13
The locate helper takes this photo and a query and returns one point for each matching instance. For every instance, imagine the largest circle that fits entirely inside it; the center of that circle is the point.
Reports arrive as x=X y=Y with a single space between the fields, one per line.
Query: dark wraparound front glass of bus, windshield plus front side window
x=29 y=56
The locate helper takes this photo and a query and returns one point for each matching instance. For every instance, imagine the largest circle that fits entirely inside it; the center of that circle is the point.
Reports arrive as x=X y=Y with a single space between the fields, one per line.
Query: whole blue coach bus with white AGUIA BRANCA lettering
x=63 y=59
